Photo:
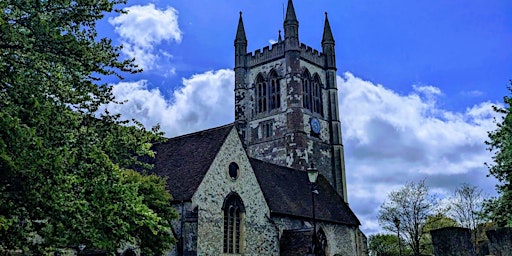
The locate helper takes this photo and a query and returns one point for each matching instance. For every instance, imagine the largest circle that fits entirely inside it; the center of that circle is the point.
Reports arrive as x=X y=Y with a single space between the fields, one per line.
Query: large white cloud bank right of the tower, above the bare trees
x=391 y=139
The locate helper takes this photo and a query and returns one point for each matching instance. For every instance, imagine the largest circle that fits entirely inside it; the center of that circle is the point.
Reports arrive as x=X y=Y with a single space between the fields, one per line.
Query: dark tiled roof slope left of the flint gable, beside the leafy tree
x=184 y=160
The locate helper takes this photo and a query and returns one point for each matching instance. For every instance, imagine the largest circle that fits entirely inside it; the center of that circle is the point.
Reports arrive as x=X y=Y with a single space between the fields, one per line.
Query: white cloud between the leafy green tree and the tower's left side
x=202 y=101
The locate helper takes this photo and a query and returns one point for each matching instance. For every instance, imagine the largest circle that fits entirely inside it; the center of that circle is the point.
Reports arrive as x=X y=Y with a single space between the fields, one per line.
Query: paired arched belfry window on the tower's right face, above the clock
x=312 y=92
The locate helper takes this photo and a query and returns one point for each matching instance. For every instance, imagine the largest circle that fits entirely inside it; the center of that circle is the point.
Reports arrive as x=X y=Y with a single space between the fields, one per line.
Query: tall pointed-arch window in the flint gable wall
x=234 y=211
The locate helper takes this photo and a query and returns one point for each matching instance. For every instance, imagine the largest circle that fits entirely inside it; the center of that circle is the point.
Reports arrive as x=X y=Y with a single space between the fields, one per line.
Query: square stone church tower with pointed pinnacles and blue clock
x=286 y=102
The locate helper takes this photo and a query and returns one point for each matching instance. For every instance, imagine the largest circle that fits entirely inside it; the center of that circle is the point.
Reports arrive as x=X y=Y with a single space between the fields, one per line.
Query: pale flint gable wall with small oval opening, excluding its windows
x=259 y=235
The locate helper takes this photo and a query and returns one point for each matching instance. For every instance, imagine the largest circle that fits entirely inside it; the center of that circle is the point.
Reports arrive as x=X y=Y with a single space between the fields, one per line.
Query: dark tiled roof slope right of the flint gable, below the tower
x=288 y=192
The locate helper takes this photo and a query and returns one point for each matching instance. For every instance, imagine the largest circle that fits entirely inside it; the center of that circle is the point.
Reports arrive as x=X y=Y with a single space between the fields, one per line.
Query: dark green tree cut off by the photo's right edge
x=500 y=143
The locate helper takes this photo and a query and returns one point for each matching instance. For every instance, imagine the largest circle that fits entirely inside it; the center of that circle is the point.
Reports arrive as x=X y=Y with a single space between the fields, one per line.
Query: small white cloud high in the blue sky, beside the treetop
x=143 y=27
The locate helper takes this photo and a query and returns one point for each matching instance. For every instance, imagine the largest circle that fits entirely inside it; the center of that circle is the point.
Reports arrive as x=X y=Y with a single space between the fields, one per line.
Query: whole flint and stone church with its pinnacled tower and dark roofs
x=243 y=188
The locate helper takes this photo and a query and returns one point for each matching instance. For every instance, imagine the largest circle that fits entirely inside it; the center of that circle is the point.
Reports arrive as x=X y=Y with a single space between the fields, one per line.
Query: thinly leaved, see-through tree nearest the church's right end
x=412 y=205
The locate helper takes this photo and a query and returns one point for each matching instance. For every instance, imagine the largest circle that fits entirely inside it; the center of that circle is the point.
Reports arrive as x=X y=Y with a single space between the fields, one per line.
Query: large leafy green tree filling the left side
x=64 y=168
